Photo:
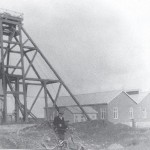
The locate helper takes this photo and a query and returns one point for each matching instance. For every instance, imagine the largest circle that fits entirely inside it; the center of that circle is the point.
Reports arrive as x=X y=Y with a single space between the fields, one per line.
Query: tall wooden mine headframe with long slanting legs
x=17 y=46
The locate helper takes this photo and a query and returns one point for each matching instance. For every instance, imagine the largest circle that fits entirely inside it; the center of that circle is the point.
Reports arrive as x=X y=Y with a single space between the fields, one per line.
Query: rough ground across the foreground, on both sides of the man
x=93 y=135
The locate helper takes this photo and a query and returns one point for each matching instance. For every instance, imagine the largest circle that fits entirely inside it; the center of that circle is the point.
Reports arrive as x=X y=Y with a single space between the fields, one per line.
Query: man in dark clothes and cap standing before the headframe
x=59 y=125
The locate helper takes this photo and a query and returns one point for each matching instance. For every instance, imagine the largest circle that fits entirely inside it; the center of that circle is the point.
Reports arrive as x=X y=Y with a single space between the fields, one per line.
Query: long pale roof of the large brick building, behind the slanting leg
x=90 y=98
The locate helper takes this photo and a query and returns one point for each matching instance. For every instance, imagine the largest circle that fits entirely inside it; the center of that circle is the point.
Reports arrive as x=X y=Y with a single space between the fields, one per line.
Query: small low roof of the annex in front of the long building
x=77 y=110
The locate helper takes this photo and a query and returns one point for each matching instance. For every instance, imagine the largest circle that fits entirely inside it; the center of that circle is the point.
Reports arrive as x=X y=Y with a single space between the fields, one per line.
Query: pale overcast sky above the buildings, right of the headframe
x=94 y=45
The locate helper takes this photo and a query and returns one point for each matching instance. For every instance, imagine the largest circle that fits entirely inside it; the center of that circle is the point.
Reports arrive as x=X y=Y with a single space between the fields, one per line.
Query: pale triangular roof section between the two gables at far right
x=139 y=97
